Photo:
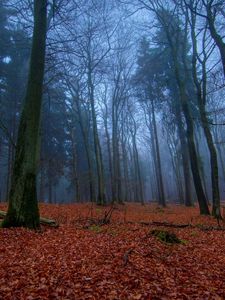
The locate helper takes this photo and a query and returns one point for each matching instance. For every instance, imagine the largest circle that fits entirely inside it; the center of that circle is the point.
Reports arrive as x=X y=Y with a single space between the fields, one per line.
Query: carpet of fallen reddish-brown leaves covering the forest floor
x=121 y=260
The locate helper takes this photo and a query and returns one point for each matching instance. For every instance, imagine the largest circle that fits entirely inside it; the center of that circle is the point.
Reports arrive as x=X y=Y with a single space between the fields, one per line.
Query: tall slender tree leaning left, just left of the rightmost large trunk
x=176 y=37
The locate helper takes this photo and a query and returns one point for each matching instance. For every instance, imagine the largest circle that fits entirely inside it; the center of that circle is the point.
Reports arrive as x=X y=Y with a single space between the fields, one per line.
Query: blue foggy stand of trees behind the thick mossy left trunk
x=133 y=100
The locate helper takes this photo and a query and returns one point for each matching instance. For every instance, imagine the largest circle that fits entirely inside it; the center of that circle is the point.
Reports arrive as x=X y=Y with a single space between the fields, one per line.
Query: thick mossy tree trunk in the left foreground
x=23 y=205
